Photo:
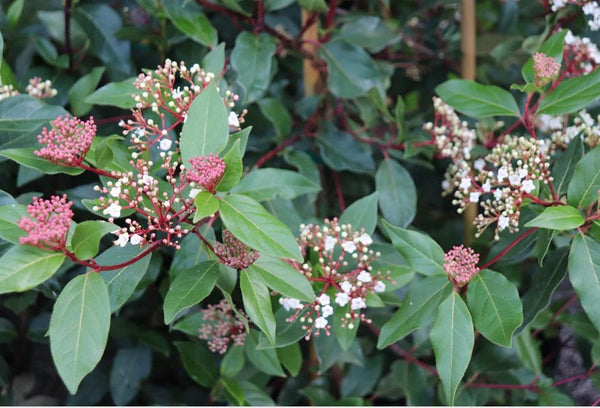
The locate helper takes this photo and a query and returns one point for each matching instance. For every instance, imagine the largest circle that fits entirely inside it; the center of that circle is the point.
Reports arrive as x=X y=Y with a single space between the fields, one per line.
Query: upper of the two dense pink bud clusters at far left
x=68 y=141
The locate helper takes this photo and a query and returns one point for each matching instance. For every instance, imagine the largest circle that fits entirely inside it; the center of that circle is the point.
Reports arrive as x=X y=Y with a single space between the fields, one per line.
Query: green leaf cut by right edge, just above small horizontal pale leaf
x=584 y=186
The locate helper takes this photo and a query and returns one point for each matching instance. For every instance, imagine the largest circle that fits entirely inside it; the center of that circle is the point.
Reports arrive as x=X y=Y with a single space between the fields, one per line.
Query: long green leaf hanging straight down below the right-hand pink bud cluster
x=452 y=340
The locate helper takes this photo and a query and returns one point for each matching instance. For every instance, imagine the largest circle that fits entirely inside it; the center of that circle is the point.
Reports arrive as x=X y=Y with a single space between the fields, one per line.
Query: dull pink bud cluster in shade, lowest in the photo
x=223 y=329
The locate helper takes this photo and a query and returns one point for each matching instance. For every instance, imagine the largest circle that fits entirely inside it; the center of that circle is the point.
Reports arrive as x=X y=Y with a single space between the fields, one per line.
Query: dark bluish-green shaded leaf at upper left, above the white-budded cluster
x=100 y=22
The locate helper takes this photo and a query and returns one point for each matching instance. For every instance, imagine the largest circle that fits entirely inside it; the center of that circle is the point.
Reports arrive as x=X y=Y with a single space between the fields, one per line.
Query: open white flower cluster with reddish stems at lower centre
x=342 y=274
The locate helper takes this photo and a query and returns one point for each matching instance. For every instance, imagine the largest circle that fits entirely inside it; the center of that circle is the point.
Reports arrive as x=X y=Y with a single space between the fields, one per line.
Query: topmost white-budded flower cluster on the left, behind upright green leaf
x=168 y=92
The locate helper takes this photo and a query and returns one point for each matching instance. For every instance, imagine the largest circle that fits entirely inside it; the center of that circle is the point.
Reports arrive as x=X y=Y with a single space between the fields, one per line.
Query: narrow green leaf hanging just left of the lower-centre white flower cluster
x=257 y=304
